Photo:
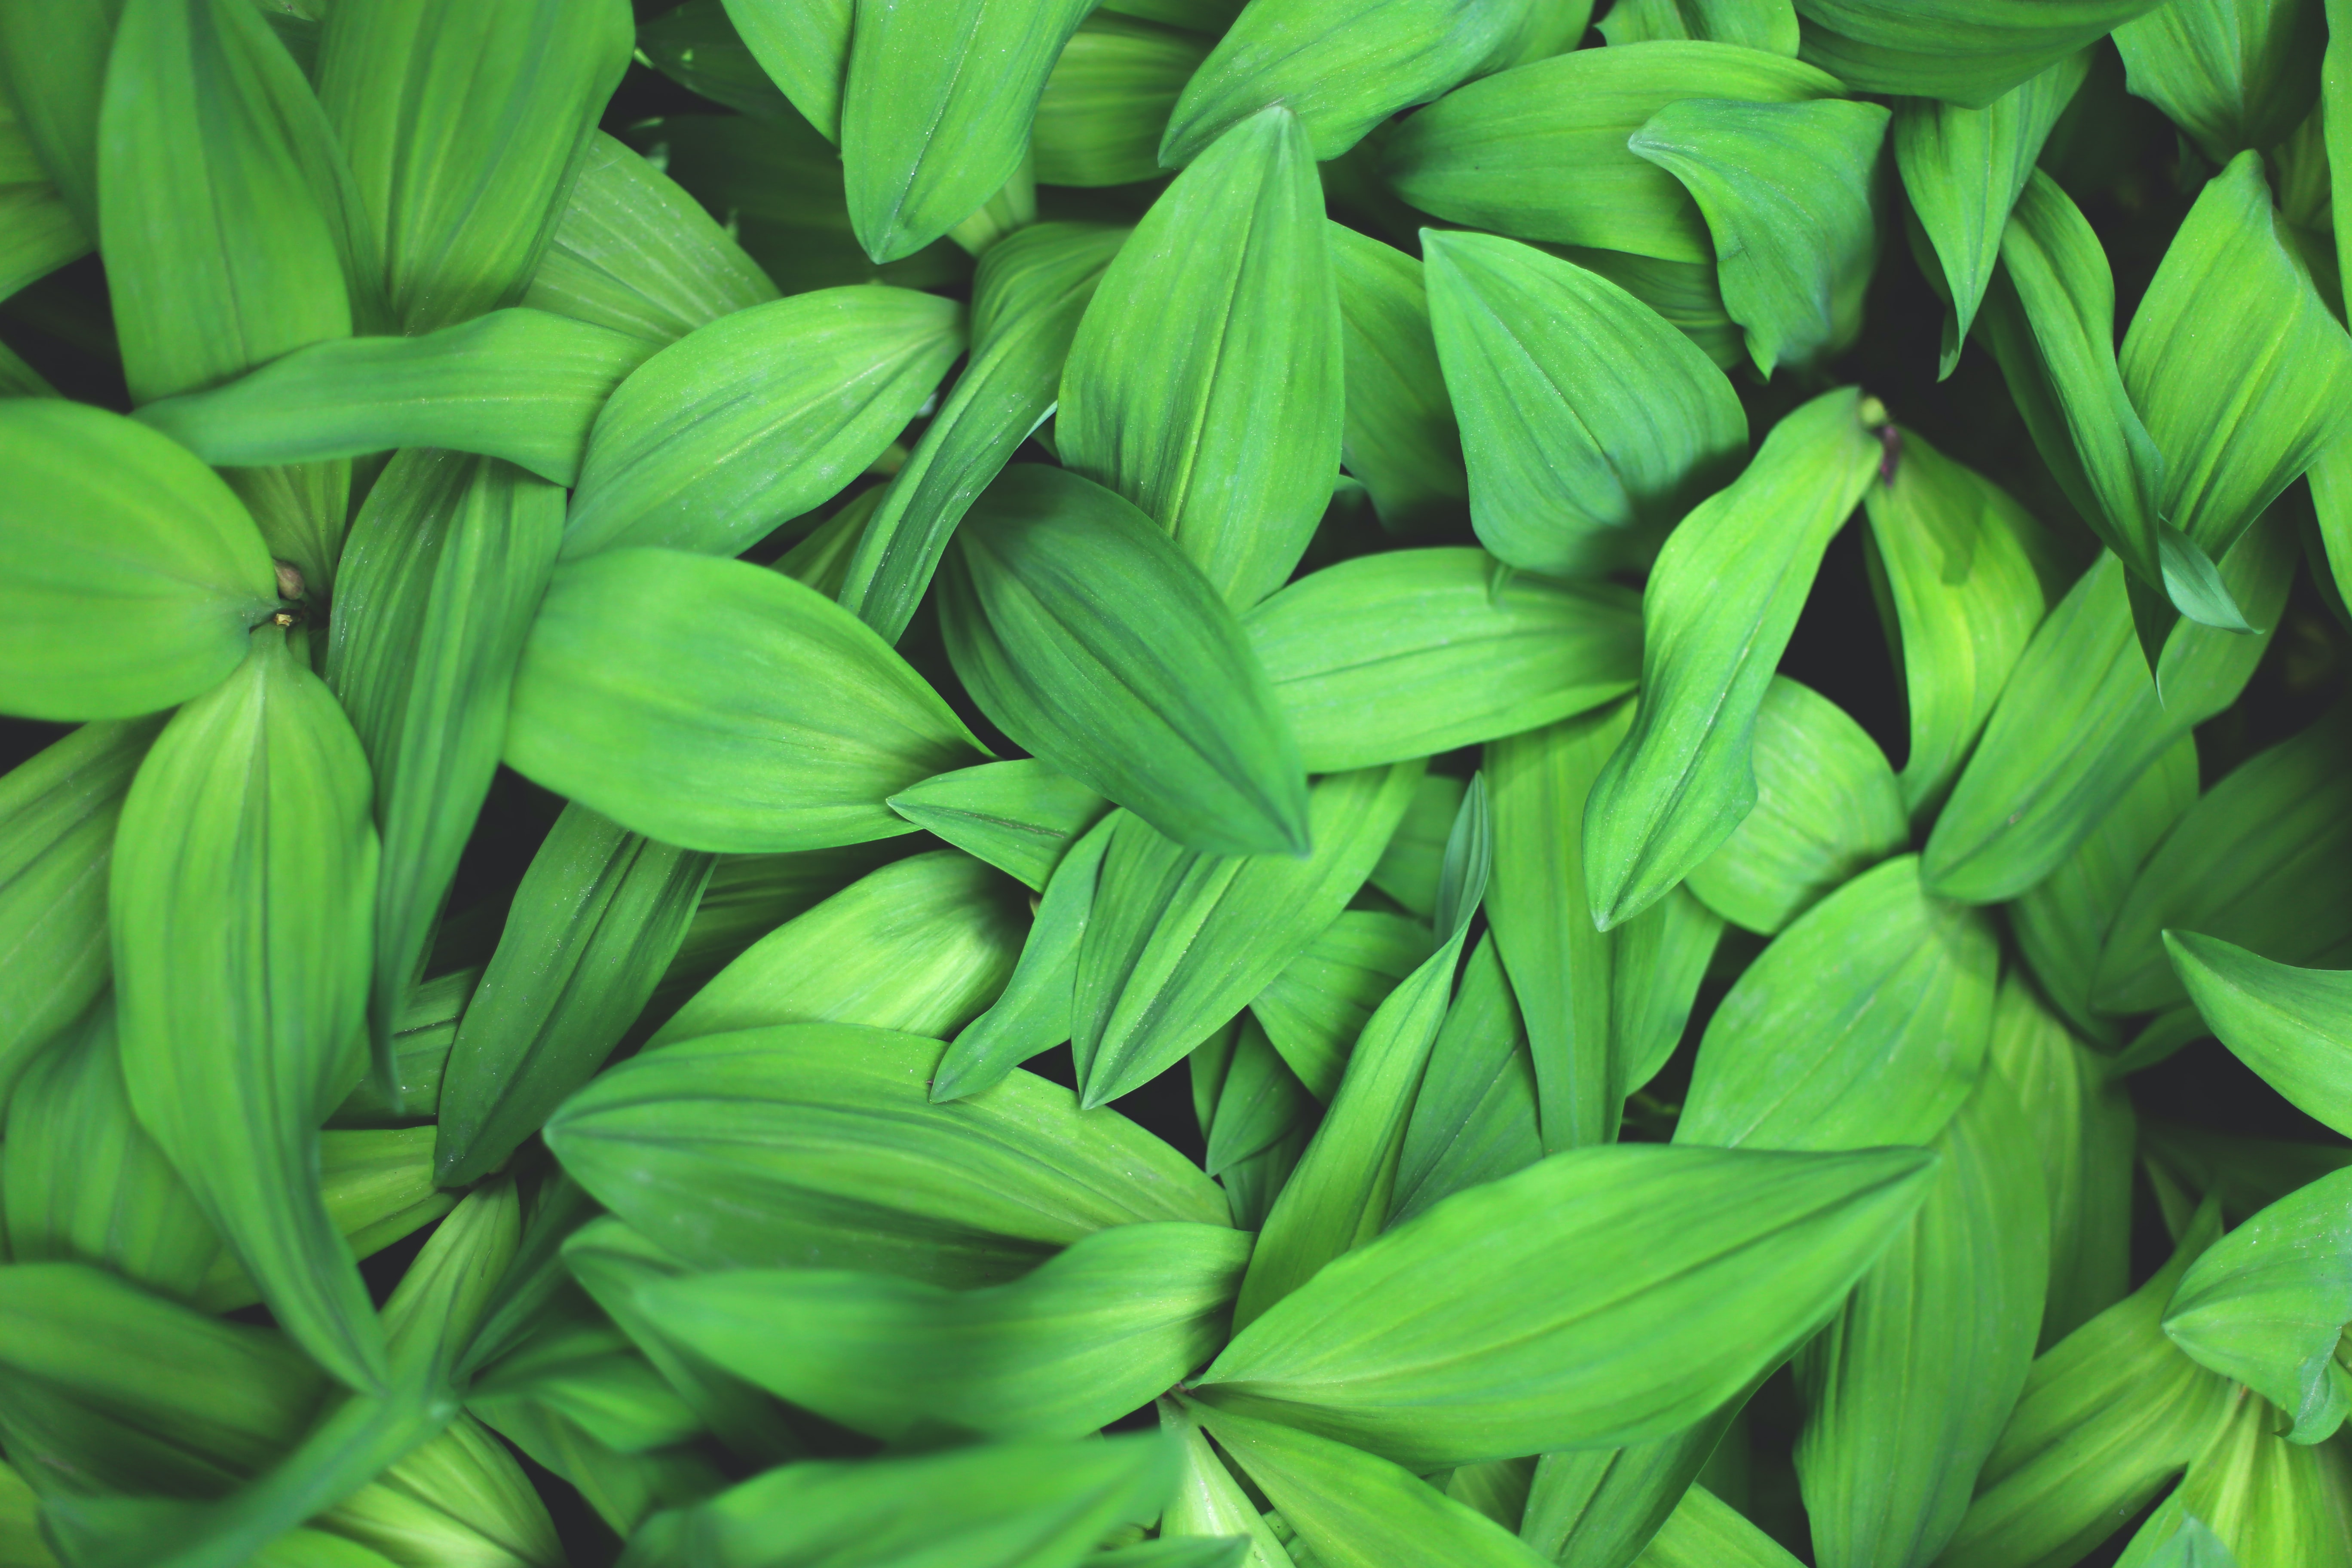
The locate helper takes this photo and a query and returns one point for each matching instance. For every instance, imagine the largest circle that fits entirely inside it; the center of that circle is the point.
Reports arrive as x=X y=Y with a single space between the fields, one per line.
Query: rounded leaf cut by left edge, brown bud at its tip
x=128 y=572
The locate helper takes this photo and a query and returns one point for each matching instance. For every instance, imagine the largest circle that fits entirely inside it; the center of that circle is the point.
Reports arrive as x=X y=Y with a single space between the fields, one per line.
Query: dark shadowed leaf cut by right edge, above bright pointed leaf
x=2254 y=864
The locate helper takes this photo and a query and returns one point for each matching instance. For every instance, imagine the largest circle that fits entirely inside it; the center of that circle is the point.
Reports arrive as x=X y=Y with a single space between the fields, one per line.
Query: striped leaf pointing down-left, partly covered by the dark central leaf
x=1182 y=942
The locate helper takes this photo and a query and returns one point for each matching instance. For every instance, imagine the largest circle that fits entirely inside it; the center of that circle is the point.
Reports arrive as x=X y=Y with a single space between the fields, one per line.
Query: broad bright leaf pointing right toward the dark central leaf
x=634 y=678
